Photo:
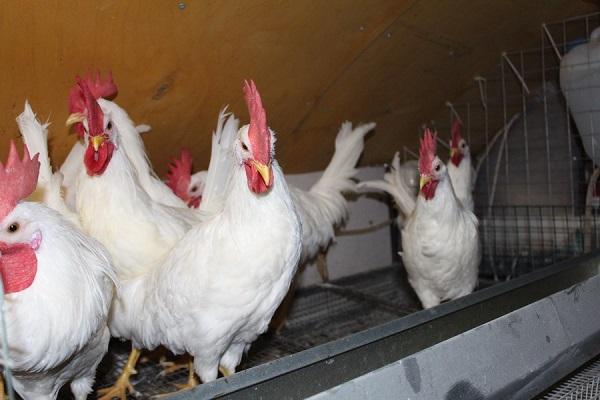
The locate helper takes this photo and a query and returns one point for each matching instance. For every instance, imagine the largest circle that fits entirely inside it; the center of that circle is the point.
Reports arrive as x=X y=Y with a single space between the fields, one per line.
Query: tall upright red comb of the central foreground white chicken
x=258 y=132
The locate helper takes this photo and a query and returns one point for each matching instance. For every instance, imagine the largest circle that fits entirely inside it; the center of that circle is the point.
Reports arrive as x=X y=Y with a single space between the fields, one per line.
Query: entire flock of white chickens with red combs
x=197 y=263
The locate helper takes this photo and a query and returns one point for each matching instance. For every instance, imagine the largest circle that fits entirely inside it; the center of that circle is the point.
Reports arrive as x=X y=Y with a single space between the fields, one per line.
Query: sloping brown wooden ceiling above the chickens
x=316 y=63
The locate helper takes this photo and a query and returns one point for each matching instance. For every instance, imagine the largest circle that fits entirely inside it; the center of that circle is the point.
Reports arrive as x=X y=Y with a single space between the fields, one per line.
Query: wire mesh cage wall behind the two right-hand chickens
x=535 y=151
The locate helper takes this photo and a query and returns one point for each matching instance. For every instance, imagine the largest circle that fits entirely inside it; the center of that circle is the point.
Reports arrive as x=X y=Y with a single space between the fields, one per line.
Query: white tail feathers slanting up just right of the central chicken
x=324 y=206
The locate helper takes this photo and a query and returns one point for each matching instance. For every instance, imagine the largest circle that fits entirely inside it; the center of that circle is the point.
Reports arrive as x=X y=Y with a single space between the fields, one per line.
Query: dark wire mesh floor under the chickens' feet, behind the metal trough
x=319 y=315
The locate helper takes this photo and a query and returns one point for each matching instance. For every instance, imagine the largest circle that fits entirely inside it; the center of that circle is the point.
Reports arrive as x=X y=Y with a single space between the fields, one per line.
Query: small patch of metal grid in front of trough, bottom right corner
x=582 y=385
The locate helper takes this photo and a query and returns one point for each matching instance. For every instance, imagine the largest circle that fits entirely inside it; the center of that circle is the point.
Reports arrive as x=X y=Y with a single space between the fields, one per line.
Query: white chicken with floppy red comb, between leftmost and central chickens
x=113 y=207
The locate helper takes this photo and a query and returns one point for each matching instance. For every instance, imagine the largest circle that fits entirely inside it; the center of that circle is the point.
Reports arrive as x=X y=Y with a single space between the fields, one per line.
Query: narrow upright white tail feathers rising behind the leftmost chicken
x=35 y=137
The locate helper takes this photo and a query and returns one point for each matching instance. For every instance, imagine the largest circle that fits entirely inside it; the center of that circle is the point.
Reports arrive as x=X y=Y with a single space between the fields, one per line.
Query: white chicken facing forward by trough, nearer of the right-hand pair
x=440 y=238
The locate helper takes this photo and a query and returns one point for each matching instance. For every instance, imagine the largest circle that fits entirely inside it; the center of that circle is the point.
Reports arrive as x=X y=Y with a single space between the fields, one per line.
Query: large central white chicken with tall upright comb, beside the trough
x=220 y=285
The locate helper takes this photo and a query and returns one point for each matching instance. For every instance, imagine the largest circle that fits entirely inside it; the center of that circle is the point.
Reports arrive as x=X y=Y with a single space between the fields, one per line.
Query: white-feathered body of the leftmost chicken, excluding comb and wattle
x=57 y=328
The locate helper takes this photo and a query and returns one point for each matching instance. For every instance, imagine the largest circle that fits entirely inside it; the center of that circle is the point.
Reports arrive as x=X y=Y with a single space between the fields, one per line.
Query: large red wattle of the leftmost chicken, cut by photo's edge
x=18 y=266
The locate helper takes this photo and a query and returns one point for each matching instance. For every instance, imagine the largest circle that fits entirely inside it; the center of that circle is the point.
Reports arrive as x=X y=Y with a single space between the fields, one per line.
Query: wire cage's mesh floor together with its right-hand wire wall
x=535 y=197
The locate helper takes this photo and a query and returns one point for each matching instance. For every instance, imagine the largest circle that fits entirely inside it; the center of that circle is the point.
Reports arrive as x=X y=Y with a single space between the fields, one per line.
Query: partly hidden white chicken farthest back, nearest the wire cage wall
x=460 y=167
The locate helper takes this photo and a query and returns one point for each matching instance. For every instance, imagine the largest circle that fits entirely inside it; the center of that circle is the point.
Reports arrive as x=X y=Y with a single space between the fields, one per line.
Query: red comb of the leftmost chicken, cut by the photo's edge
x=18 y=178
